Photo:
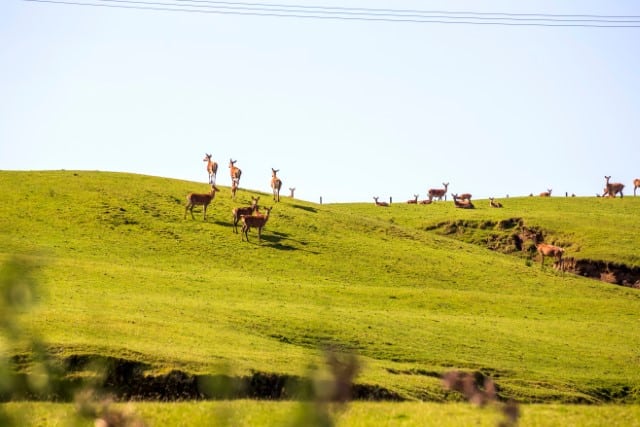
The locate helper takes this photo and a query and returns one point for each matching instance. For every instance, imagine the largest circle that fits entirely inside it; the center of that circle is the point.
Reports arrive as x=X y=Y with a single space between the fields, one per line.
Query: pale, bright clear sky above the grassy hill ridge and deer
x=345 y=109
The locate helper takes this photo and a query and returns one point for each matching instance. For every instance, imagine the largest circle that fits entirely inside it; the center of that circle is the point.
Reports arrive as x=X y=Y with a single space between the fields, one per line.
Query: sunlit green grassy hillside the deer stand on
x=127 y=276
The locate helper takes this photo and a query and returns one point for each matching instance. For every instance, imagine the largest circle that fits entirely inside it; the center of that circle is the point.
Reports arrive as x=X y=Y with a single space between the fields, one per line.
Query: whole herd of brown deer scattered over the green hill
x=251 y=217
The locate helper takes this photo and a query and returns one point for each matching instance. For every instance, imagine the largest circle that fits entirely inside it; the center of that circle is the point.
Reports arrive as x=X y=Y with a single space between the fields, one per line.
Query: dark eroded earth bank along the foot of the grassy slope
x=125 y=380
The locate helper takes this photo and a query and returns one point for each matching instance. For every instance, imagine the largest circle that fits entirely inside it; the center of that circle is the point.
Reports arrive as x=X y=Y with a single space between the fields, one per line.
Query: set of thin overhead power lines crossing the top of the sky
x=364 y=14
